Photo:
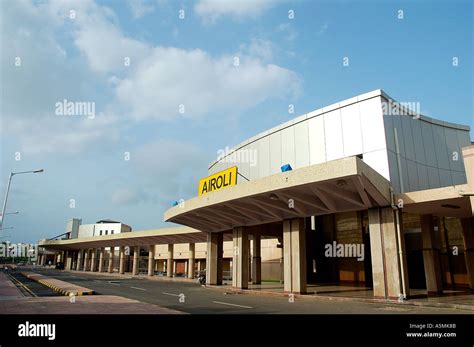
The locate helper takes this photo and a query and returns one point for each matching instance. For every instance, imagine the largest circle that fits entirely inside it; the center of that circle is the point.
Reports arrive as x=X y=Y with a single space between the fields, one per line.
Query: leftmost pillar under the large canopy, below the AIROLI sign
x=215 y=250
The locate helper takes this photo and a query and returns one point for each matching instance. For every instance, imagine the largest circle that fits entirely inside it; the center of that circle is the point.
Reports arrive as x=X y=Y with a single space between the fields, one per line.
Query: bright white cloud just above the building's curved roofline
x=205 y=85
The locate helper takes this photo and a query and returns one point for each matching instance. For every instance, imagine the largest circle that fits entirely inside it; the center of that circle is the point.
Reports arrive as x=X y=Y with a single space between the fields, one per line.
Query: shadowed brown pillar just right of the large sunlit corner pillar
x=431 y=259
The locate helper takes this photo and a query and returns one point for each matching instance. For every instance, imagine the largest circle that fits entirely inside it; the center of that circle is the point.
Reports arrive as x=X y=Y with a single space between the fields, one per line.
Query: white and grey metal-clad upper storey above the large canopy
x=414 y=153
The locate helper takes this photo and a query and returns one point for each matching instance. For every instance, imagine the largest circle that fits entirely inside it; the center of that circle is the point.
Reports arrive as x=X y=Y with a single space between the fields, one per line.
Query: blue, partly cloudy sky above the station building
x=170 y=83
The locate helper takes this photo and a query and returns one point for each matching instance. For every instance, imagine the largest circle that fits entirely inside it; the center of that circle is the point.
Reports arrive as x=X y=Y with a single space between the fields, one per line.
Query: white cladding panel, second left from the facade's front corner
x=351 y=130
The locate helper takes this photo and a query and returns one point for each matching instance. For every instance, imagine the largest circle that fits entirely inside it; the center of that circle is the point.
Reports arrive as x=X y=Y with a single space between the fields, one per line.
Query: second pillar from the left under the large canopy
x=240 y=258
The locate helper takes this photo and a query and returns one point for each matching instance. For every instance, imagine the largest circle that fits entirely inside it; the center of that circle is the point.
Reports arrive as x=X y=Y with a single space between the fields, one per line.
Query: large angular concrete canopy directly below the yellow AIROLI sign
x=340 y=185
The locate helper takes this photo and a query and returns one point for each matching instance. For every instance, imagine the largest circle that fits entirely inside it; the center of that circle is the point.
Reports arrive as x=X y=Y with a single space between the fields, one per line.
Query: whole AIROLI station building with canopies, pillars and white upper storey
x=366 y=191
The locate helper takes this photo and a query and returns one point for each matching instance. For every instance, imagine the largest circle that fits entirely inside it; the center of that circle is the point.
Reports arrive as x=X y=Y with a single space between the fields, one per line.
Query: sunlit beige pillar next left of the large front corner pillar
x=294 y=256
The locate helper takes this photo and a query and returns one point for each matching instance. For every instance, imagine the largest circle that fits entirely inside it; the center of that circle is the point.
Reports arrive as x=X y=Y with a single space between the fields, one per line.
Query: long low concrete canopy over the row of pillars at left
x=136 y=238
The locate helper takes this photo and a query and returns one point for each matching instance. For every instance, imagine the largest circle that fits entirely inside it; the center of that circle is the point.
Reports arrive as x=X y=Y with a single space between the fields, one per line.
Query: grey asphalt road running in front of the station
x=193 y=298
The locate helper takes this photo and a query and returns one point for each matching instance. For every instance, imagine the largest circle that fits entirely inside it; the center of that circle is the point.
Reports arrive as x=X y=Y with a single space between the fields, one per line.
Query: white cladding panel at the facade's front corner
x=373 y=131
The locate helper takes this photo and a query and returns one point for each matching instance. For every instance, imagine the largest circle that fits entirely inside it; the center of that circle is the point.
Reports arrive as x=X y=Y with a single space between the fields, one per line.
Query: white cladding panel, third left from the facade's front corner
x=333 y=132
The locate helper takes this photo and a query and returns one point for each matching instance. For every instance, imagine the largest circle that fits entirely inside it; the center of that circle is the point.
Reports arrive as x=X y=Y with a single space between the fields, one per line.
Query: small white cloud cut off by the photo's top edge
x=212 y=10
